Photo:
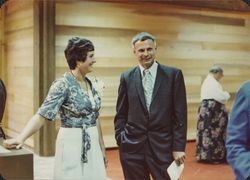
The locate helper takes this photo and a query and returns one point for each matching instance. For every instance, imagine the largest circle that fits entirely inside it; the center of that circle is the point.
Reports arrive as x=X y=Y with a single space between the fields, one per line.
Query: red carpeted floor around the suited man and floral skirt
x=192 y=171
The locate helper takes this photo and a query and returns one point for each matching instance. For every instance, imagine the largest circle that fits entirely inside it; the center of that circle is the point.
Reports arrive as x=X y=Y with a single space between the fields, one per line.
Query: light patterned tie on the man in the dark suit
x=147 y=82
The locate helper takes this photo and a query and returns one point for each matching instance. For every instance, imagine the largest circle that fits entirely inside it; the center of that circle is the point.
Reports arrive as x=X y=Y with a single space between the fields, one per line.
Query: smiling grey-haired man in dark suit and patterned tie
x=151 y=118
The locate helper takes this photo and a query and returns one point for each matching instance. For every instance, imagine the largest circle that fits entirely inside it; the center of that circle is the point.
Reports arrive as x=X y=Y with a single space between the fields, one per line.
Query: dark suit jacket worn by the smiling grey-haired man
x=164 y=127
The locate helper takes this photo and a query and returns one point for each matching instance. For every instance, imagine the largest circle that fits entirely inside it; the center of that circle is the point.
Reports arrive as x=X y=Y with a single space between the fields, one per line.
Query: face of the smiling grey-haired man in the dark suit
x=145 y=52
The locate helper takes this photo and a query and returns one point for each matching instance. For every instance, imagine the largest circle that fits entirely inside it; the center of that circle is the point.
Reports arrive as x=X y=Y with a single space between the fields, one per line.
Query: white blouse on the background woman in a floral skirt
x=212 y=89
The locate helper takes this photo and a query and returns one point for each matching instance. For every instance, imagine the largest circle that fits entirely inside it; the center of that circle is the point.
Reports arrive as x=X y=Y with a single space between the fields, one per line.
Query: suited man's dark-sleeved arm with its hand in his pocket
x=121 y=110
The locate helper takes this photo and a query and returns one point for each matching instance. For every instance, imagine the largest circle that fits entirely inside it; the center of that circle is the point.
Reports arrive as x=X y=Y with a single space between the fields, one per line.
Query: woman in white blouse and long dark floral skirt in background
x=212 y=119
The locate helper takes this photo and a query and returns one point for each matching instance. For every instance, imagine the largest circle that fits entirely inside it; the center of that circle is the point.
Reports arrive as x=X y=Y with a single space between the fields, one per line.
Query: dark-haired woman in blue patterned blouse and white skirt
x=79 y=145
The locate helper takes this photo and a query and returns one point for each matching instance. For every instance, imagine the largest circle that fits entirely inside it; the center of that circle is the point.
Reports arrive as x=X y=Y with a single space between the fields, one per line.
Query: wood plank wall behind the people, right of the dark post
x=190 y=39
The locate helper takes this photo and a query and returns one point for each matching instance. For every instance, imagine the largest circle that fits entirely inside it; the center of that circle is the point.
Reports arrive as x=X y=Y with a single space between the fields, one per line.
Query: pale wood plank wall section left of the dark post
x=18 y=36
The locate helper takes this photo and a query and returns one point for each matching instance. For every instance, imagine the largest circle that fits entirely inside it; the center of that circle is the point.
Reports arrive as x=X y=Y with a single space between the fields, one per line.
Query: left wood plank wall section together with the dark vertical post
x=28 y=45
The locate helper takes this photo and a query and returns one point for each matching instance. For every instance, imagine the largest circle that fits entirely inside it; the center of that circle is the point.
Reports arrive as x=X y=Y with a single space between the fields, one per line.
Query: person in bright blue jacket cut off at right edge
x=238 y=134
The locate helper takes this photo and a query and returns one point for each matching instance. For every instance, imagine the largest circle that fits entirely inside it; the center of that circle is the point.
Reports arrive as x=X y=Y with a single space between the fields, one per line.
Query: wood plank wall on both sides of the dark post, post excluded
x=190 y=39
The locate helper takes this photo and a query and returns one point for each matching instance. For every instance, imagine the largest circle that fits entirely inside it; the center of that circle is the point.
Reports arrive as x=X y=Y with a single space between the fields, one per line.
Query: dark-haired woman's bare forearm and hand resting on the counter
x=34 y=124
